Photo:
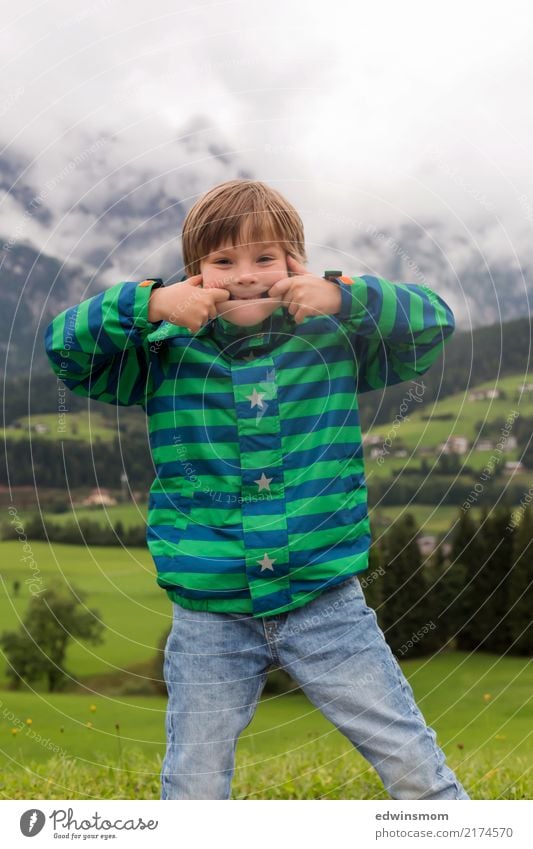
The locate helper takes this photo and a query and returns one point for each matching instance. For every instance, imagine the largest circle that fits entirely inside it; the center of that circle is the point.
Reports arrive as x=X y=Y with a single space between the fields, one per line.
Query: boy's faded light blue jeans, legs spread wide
x=215 y=668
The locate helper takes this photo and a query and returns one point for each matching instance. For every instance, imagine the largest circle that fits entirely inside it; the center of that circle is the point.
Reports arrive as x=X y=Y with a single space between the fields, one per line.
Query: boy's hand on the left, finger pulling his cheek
x=186 y=304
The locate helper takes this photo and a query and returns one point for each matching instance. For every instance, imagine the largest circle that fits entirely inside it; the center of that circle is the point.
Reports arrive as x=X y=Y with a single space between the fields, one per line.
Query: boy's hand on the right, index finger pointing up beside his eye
x=304 y=294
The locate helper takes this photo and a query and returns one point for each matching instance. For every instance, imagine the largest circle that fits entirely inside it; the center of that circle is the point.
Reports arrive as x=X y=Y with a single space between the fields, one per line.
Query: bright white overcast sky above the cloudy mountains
x=379 y=112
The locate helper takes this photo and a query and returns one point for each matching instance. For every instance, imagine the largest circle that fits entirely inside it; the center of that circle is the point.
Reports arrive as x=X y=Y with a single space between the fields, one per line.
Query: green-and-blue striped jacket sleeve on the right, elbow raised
x=397 y=330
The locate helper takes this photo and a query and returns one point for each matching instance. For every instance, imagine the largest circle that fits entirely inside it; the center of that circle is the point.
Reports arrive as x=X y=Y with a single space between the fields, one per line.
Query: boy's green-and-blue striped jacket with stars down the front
x=259 y=501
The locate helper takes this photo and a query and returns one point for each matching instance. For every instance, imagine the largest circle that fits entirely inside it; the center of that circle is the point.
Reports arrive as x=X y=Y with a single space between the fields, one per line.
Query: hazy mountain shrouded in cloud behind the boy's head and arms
x=110 y=214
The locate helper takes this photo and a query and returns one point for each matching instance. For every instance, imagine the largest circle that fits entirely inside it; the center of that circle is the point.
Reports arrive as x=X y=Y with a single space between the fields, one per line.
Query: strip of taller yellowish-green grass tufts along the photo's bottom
x=314 y=774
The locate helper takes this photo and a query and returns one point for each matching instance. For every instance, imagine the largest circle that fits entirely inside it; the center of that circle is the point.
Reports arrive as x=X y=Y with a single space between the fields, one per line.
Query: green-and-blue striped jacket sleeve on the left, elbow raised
x=99 y=348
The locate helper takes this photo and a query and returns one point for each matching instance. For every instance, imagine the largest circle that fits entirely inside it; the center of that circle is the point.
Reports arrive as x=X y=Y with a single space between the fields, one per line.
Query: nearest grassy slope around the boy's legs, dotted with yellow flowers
x=289 y=751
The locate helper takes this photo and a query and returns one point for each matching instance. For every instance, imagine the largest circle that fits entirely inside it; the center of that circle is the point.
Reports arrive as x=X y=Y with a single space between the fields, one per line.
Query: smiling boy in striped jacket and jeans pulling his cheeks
x=248 y=371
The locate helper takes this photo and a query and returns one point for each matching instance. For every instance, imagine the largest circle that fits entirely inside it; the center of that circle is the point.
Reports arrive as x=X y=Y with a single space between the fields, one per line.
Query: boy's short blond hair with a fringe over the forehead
x=241 y=212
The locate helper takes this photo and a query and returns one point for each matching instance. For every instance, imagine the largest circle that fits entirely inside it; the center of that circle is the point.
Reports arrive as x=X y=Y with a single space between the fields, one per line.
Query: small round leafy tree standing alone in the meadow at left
x=54 y=617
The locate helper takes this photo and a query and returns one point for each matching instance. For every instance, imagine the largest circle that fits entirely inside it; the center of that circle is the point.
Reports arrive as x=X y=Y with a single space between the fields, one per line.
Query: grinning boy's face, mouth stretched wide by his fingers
x=246 y=271
